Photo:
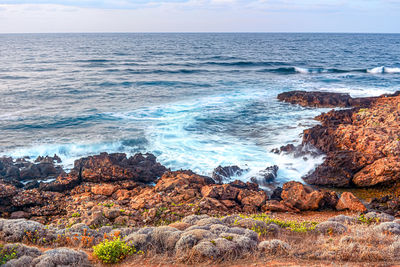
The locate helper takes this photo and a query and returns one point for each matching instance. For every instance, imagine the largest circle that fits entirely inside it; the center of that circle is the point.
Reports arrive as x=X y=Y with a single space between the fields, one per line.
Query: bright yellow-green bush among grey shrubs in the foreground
x=113 y=251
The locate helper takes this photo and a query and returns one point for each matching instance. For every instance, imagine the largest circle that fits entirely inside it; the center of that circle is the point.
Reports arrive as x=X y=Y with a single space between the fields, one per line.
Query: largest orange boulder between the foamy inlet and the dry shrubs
x=302 y=197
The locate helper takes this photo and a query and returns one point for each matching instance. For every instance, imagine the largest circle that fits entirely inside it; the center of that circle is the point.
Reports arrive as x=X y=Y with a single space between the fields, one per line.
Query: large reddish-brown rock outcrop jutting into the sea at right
x=361 y=144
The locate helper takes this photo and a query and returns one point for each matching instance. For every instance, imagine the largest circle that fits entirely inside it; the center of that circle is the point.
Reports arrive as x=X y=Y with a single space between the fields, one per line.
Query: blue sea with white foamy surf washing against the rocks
x=194 y=100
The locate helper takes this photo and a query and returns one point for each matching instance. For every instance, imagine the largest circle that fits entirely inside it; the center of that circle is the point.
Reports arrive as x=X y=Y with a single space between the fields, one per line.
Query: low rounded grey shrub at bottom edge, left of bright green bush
x=62 y=257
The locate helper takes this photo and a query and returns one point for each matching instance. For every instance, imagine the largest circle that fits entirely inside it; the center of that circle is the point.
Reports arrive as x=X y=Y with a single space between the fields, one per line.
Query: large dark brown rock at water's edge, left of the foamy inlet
x=115 y=167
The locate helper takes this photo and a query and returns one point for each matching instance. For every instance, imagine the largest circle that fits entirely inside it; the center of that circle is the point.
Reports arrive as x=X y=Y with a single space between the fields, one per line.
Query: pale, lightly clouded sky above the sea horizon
x=375 y=16
